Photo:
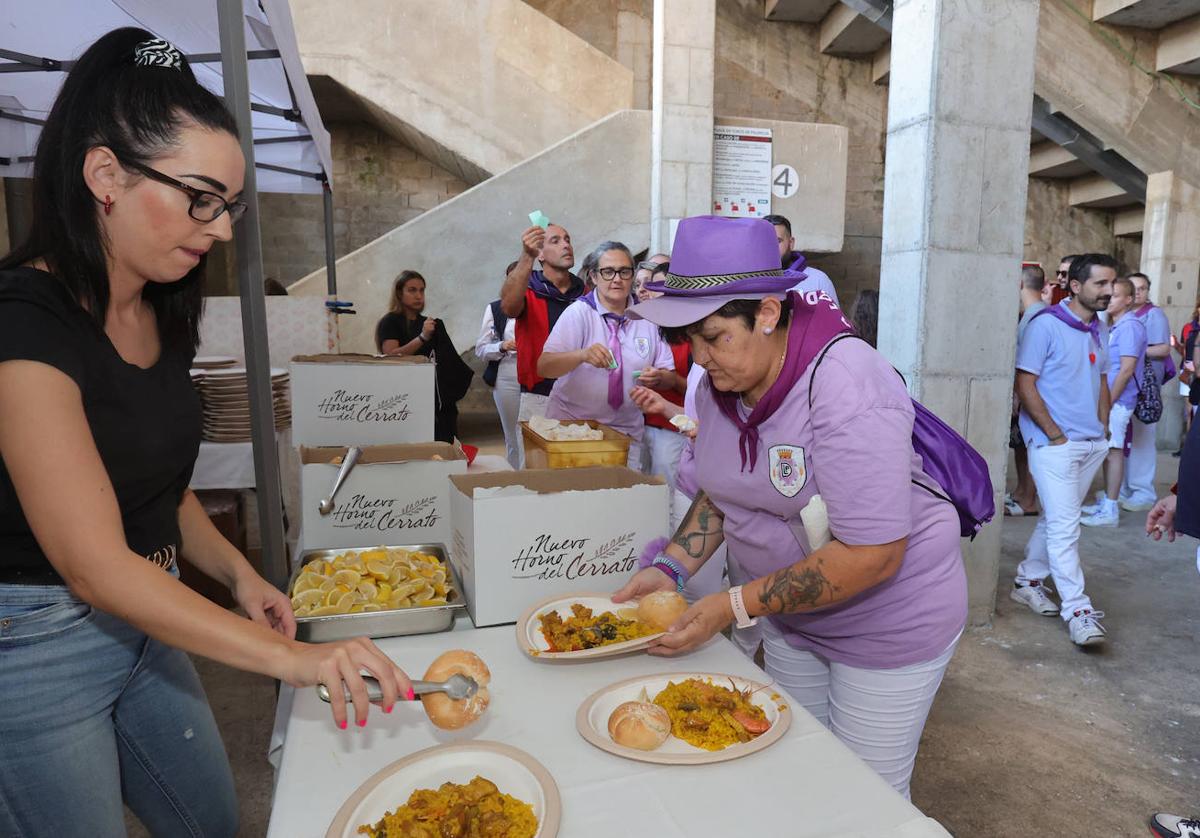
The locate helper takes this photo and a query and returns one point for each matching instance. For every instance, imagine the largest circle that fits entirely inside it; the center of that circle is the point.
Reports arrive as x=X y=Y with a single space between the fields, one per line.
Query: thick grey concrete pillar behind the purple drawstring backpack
x=958 y=148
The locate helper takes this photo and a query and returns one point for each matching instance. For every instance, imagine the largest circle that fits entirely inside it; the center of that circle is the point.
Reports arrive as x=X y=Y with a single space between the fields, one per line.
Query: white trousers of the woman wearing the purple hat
x=879 y=714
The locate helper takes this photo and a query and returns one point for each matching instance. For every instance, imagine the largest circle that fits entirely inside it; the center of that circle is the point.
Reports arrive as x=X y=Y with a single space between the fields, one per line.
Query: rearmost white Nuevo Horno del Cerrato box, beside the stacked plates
x=362 y=400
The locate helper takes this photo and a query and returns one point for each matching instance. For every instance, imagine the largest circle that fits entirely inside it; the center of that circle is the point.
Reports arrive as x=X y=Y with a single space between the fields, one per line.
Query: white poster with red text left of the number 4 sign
x=741 y=172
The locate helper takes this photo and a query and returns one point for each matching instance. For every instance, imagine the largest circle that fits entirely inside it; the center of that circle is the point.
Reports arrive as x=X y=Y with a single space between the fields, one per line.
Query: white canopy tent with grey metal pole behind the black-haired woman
x=242 y=50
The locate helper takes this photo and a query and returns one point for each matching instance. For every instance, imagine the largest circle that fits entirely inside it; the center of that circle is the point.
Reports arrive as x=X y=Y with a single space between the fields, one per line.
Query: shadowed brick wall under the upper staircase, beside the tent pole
x=379 y=185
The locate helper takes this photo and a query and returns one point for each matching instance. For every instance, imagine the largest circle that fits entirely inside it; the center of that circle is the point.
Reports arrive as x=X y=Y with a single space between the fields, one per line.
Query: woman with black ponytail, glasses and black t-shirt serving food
x=139 y=173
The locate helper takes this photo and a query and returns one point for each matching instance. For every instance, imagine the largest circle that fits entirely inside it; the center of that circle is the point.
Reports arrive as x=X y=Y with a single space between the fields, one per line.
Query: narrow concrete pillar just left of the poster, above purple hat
x=682 y=123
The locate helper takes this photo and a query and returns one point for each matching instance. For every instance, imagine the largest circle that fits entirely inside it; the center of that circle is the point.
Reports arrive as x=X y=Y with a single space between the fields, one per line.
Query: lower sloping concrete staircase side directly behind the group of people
x=598 y=179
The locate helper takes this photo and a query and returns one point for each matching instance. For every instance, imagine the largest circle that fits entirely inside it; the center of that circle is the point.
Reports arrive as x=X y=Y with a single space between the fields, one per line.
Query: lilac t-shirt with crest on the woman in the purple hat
x=855 y=450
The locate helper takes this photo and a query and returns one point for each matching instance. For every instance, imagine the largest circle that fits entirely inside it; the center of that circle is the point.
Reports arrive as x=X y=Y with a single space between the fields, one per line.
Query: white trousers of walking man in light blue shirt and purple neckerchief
x=1063 y=475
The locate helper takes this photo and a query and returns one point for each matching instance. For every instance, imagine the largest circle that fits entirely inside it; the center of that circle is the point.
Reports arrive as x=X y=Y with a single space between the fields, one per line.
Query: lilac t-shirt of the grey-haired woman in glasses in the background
x=584 y=392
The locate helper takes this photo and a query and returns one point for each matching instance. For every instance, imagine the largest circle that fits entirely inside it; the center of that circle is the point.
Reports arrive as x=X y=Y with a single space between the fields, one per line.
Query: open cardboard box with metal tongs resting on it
x=394 y=495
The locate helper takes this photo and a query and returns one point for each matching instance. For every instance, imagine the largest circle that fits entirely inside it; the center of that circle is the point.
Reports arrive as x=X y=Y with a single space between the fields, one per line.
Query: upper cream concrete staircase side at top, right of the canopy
x=515 y=85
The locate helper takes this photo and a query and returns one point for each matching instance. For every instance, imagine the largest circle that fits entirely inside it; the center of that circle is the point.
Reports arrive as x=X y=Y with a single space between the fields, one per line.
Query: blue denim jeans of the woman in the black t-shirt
x=95 y=713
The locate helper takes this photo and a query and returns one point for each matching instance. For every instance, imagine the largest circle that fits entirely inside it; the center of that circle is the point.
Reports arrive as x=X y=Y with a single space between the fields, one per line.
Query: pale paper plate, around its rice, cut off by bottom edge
x=512 y=770
